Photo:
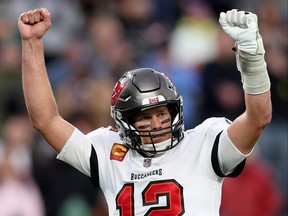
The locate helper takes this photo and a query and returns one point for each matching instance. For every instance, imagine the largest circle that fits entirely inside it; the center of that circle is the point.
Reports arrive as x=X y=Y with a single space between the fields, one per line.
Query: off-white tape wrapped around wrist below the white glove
x=253 y=70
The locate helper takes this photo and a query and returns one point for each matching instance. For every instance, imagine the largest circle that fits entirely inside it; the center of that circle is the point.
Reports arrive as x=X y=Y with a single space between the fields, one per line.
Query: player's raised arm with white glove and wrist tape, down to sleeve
x=247 y=128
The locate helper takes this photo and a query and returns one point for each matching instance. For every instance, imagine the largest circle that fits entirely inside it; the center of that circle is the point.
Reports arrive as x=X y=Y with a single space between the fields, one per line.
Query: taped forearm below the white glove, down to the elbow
x=256 y=84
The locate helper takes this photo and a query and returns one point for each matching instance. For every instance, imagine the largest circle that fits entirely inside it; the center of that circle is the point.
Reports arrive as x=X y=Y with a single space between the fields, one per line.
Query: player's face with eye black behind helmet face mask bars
x=153 y=120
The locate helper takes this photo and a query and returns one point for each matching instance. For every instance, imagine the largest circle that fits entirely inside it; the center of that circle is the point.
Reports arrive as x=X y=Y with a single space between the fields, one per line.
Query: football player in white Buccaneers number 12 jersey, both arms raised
x=149 y=165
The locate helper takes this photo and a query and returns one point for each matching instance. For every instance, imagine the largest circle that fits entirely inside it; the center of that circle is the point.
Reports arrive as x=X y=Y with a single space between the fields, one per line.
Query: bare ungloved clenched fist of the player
x=33 y=24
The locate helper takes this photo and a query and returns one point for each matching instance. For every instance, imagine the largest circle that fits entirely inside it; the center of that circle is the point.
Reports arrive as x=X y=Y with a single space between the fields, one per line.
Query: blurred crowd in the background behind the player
x=90 y=44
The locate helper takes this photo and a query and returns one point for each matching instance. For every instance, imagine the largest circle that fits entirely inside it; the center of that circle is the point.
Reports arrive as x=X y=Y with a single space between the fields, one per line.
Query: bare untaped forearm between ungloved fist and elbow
x=38 y=95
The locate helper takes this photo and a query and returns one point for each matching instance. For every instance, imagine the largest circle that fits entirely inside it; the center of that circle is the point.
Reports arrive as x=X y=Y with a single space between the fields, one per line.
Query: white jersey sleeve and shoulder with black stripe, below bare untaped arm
x=90 y=153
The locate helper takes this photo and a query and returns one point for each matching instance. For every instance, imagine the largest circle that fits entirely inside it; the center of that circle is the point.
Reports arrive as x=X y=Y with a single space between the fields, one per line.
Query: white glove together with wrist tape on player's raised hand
x=243 y=28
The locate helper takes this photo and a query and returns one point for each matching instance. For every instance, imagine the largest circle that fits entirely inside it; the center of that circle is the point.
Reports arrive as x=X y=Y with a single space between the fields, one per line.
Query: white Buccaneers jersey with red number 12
x=185 y=180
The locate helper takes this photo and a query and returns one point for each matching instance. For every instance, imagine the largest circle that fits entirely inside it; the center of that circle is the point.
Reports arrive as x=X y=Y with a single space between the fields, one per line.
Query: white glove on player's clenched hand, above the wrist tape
x=242 y=26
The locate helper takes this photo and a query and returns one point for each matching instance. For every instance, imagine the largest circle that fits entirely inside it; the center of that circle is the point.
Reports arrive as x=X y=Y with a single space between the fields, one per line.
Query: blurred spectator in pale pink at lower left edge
x=19 y=194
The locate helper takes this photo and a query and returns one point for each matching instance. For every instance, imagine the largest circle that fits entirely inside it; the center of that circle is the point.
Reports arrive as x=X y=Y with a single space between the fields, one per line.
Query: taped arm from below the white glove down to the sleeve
x=246 y=130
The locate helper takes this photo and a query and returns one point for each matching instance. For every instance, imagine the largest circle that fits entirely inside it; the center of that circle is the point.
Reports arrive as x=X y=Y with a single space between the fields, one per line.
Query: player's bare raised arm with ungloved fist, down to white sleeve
x=38 y=94
